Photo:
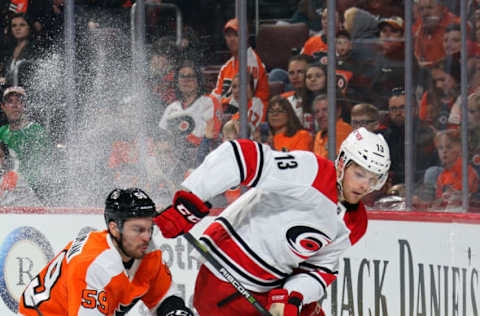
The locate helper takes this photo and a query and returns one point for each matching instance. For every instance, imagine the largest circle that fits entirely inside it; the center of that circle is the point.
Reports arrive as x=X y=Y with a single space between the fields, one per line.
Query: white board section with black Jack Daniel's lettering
x=409 y=268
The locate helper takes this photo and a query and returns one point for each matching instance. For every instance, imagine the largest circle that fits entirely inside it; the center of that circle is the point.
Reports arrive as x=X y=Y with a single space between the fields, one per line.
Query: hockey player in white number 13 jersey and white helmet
x=283 y=238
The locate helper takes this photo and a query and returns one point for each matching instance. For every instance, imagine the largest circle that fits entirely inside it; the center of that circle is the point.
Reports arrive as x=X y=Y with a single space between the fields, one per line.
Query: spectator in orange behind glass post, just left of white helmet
x=320 y=112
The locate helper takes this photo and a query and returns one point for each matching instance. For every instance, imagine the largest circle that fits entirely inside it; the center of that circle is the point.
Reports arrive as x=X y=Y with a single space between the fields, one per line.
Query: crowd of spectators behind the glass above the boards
x=186 y=114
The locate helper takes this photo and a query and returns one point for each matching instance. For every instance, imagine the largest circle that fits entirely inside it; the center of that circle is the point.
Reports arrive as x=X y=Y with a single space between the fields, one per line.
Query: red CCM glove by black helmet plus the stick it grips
x=187 y=210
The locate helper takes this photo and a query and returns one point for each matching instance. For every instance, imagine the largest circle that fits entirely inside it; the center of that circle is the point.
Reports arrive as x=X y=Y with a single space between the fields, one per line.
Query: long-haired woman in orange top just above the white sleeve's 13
x=288 y=133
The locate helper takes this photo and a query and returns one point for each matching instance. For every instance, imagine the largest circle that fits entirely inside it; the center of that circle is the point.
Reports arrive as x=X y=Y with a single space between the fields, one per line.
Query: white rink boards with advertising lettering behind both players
x=404 y=266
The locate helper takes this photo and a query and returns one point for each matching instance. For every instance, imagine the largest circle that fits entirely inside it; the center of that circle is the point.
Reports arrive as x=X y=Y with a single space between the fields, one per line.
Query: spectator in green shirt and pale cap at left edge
x=28 y=140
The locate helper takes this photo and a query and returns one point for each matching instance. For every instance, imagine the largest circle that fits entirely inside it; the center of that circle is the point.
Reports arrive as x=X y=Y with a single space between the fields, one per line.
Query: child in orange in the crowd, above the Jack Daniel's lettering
x=449 y=181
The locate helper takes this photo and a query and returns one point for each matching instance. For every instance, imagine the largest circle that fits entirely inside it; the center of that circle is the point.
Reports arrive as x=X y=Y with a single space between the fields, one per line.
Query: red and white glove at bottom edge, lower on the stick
x=280 y=303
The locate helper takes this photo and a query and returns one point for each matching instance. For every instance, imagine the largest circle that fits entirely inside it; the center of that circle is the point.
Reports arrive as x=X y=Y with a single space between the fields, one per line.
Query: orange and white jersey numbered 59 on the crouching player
x=88 y=278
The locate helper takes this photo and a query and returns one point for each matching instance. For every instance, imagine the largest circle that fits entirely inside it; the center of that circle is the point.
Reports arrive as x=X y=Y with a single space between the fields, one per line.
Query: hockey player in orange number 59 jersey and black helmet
x=107 y=272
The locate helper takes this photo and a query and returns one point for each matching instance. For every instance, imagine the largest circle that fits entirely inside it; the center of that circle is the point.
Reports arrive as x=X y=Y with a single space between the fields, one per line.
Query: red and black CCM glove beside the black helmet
x=187 y=210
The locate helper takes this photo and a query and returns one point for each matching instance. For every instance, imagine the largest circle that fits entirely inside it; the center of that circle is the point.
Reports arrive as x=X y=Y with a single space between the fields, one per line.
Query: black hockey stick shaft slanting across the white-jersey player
x=227 y=275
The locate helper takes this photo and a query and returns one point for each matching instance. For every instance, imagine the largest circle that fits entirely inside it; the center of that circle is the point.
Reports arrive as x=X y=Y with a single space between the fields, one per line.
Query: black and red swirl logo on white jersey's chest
x=305 y=241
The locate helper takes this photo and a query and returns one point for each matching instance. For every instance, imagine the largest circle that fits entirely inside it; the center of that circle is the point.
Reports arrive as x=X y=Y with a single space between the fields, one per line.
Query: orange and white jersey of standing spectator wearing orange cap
x=255 y=66
